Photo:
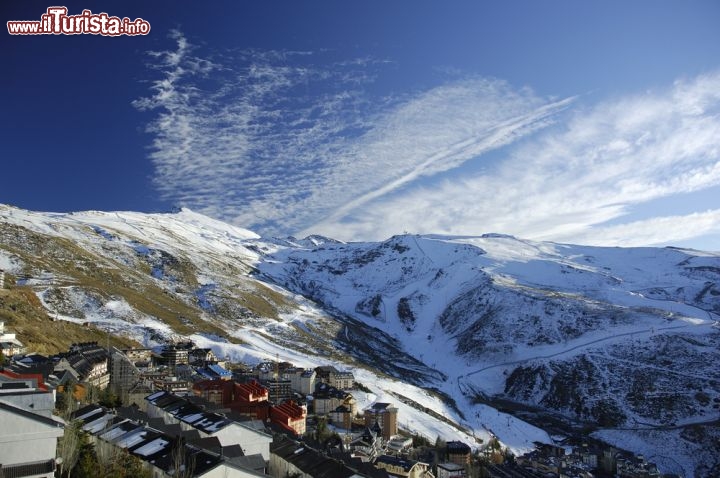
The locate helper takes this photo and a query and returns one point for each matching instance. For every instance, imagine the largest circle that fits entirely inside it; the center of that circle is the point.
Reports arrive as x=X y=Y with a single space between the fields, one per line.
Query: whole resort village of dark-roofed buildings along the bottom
x=179 y=410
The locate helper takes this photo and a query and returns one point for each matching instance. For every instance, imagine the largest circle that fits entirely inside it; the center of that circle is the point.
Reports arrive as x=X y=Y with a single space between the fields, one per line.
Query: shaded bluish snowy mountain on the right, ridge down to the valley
x=617 y=337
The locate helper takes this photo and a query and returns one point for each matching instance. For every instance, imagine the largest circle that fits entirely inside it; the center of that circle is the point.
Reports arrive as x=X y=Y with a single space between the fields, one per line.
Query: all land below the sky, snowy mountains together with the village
x=173 y=344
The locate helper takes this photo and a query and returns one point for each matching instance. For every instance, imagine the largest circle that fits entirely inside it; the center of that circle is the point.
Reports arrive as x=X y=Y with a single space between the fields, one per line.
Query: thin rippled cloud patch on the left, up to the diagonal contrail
x=278 y=141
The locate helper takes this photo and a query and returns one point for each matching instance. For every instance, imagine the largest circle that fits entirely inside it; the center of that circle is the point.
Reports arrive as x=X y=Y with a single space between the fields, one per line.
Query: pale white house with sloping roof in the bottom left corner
x=28 y=442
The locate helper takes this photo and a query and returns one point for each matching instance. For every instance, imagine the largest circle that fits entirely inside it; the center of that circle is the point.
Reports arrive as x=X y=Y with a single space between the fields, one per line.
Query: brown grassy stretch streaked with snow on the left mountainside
x=115 y=270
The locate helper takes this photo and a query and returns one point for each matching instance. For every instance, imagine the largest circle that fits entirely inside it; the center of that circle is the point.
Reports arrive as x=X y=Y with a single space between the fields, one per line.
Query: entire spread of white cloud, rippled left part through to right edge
x=283 y=142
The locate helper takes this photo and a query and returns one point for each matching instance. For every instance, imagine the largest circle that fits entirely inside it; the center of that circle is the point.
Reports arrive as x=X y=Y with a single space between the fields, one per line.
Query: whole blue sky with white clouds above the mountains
x=585 y=122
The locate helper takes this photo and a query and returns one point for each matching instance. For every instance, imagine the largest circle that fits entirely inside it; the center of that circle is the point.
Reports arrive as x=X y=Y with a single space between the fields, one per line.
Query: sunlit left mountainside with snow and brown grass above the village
x=160 y=277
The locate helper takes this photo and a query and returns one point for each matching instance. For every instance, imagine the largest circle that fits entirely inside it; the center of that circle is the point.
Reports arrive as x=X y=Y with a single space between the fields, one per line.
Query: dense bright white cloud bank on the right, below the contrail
x=567 y=182
